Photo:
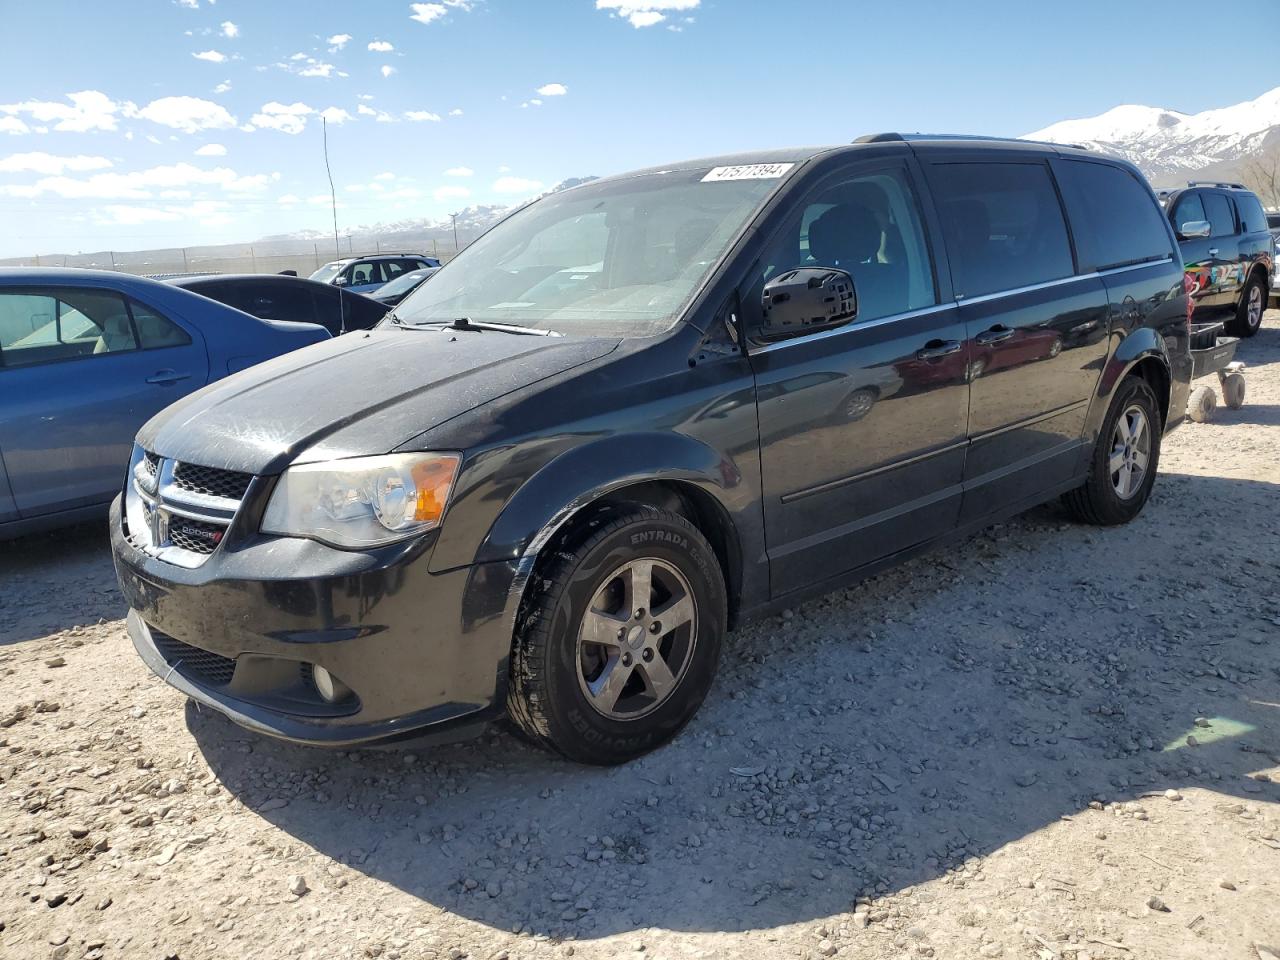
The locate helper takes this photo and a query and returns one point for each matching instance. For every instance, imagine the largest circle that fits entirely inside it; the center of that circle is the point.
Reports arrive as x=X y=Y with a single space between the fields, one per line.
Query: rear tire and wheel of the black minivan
x=1101 y=500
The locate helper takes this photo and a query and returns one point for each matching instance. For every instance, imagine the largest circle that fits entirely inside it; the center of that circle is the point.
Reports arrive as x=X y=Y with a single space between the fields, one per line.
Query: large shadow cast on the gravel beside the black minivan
x=872 y=740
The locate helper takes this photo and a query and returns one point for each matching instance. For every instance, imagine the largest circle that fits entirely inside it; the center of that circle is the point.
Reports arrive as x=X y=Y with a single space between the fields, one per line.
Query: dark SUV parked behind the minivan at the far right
x=1228 y=252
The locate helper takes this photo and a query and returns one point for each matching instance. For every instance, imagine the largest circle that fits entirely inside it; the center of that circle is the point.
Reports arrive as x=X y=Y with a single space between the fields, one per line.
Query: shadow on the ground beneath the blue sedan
x=57 y=582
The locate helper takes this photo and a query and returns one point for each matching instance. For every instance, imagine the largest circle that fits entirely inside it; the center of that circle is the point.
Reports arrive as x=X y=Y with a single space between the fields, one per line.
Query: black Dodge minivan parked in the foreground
x=639 y=412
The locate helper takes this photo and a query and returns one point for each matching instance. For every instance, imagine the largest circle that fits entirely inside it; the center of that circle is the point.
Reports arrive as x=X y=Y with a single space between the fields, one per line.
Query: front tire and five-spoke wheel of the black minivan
x=587 y=660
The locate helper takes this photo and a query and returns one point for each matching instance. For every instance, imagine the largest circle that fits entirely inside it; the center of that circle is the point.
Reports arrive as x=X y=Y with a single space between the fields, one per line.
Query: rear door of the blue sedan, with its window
x=81 y=371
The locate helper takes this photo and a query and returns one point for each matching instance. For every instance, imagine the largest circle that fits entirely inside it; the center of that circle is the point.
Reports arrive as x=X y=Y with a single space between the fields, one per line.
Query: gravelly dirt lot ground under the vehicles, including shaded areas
x=1052 y=743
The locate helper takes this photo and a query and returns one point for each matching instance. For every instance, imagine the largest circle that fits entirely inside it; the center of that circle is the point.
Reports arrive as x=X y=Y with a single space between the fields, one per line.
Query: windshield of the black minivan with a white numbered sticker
x=616 y=259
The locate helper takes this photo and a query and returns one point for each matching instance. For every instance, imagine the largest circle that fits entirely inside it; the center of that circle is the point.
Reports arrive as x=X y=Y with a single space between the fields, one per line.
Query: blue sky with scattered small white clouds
x=156 y=124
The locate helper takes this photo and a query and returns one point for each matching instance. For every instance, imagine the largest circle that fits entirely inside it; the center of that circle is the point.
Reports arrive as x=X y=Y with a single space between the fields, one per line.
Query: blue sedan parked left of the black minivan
x=86 y=358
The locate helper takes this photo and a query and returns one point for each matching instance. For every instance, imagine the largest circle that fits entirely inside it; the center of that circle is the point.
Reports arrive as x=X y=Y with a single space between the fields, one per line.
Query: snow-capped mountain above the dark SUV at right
x=1169 y=145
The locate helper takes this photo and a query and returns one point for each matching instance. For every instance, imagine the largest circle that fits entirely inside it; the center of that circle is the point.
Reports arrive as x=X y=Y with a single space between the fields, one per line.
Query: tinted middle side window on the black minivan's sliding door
x=1004 y=226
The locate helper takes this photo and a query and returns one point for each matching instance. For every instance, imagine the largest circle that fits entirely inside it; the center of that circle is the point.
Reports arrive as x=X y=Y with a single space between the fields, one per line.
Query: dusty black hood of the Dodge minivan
x=359 y=395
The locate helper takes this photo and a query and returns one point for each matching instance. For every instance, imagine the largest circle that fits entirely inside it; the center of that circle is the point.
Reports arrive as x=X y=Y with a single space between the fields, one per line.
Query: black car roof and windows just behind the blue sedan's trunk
x=281 y=298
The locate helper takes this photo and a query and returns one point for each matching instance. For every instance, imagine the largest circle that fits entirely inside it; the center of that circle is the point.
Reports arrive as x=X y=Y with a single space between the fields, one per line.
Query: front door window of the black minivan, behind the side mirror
x=868 y=226
